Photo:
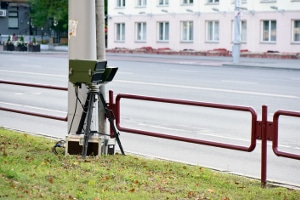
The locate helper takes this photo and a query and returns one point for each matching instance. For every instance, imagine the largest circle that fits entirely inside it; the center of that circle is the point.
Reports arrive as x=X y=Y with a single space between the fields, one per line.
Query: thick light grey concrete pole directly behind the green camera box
x=82 y=45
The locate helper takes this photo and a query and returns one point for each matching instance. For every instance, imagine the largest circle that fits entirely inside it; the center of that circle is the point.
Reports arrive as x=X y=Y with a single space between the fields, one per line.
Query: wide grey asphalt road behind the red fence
x=205 y=80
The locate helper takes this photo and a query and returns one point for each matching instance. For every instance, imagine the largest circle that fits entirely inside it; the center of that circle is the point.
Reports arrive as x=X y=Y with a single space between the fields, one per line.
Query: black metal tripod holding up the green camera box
x=87 y=114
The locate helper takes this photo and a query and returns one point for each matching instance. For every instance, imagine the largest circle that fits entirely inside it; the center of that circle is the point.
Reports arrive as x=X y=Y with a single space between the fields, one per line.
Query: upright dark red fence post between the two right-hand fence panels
x=264 y=146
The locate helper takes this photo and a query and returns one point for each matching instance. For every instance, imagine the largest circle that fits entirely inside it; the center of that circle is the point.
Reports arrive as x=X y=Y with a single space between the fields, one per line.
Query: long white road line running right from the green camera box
x=210 y=89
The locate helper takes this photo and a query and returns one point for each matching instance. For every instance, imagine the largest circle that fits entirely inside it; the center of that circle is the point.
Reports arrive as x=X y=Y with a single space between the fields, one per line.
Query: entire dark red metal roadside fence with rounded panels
x=263 y=130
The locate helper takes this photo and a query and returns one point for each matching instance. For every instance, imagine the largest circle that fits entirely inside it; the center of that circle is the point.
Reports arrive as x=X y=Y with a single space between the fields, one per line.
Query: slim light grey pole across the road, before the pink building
x=237 y=32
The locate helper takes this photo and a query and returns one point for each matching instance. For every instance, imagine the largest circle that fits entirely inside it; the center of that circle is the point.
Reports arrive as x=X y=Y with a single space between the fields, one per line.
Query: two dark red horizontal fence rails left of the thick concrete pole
x=33 y=113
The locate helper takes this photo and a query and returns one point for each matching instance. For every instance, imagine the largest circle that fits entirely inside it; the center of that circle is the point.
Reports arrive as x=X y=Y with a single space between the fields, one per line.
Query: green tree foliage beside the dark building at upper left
x=53 y=11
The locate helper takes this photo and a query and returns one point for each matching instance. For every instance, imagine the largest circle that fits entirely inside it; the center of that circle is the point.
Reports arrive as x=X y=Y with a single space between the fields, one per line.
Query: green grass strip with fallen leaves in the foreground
x=29 y=170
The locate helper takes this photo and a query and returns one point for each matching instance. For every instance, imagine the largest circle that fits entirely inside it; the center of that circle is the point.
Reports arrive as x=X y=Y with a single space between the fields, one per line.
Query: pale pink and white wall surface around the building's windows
x=177 y=13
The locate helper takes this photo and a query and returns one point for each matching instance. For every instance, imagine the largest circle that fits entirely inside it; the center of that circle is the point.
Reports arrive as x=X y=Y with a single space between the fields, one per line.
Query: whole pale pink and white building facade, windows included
x=202 y=25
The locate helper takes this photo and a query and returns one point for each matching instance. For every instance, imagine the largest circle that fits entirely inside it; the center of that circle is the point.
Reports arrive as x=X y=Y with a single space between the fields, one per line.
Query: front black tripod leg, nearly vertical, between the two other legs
x=88 y=125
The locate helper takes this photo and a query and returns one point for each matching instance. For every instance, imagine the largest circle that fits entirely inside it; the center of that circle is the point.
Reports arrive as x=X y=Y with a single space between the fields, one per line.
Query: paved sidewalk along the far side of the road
x=210 y=60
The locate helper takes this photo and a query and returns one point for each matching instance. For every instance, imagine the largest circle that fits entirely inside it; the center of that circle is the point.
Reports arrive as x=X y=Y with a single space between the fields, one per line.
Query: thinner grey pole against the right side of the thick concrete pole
x=101 y=56
